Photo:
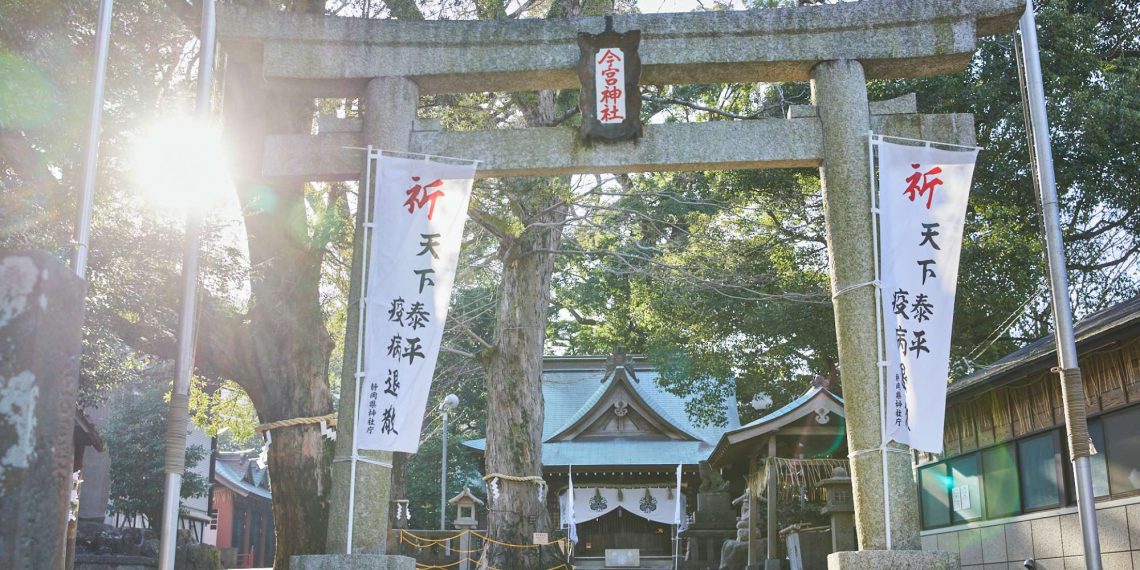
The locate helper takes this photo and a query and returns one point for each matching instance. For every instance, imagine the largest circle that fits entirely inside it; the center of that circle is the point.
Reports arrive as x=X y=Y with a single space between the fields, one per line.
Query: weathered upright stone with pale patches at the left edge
x=42 y=319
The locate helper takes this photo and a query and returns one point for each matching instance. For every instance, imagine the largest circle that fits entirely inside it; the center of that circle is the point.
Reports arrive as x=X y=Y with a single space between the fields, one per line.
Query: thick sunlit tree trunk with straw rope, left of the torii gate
x=287 y=349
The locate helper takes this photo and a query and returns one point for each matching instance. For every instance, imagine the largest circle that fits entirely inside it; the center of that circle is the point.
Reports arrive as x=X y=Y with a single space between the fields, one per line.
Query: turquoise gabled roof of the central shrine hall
x=577 y=389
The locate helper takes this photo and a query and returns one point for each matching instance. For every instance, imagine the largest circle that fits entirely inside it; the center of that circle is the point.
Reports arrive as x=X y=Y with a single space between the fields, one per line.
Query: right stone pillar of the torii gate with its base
x=840 y=93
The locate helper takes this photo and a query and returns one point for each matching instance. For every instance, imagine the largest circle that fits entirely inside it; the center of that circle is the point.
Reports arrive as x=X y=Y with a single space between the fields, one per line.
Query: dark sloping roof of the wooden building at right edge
x=1041 y=354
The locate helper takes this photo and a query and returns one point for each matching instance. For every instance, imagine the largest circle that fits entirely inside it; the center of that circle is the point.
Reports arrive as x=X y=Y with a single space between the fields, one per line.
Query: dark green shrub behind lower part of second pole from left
x=135 y=438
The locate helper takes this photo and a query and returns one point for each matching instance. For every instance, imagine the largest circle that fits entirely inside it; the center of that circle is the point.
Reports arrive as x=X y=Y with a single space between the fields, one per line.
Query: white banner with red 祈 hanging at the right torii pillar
x=923 y=197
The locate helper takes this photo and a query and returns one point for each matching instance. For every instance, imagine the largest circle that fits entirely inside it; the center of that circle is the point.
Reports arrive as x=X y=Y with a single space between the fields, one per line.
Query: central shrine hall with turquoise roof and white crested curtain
x=623 y=437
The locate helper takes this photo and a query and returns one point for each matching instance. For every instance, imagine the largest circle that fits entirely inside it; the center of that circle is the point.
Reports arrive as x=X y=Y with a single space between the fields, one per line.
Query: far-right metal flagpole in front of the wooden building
x=1072 y=388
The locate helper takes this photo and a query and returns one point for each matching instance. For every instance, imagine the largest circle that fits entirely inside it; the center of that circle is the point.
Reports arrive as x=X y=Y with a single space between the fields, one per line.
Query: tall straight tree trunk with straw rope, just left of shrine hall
x=515 y=376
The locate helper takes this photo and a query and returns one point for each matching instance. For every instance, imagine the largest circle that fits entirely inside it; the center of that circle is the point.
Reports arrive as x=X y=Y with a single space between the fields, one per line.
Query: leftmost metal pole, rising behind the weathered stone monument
x=92 y=159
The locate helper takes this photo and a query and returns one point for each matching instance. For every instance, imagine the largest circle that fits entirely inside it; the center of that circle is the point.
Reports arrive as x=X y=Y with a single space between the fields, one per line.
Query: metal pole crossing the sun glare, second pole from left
x=180 y=401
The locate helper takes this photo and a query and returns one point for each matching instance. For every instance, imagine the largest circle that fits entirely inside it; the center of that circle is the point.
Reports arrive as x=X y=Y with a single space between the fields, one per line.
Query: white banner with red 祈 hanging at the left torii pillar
x=419 y=214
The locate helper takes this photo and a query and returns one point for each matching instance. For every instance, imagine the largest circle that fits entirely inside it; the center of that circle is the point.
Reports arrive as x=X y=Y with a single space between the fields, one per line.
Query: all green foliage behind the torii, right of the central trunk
x=726 y=275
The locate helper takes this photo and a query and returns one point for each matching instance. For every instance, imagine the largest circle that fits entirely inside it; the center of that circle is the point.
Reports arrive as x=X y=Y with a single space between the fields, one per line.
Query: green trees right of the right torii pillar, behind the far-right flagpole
x=1090 y=54
